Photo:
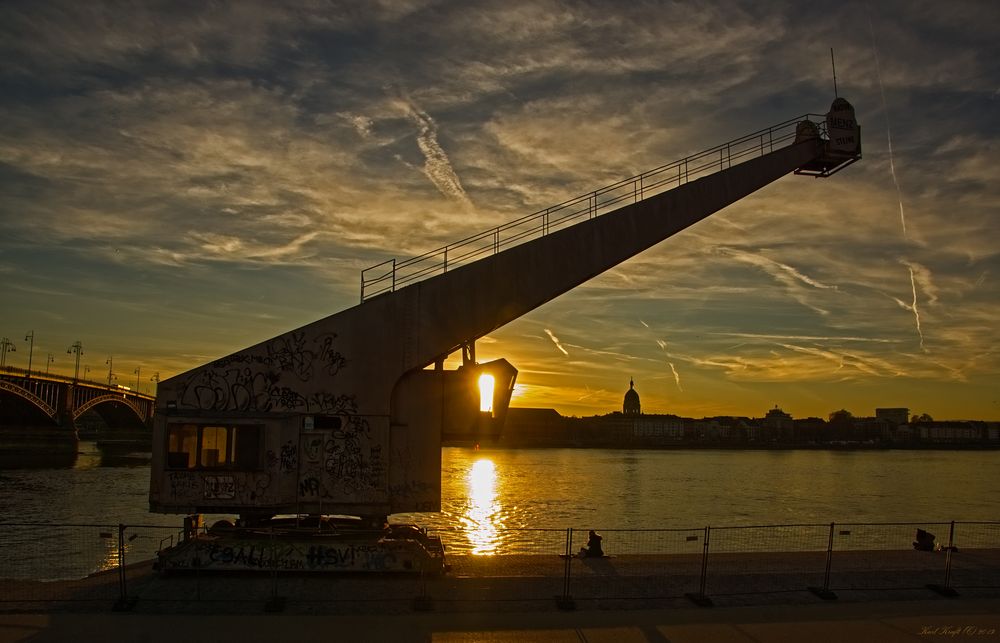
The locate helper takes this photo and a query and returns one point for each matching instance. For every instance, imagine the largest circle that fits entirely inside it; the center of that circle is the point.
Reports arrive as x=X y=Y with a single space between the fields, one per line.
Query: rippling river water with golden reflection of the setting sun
x=487 y=493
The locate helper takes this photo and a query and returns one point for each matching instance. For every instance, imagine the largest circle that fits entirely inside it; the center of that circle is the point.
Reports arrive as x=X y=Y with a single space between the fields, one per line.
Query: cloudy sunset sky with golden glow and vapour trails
x=181 y=180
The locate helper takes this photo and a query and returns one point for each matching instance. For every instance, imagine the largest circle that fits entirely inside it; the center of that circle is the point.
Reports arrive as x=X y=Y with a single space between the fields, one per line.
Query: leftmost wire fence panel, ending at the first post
x=64 y=564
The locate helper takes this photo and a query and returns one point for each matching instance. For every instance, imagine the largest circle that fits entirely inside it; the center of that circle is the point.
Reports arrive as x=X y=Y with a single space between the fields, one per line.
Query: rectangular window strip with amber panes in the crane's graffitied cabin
x=192 y=446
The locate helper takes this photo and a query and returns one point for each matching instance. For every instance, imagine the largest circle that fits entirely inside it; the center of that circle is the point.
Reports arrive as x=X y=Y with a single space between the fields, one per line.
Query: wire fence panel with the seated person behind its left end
x=638 y=564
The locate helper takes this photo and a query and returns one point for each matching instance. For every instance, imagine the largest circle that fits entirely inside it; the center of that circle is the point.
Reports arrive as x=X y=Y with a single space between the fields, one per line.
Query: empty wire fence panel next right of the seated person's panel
x=766 y=559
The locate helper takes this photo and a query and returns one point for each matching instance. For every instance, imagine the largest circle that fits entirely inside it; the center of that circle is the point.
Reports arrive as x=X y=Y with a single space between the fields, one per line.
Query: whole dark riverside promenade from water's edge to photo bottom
x=882 y=597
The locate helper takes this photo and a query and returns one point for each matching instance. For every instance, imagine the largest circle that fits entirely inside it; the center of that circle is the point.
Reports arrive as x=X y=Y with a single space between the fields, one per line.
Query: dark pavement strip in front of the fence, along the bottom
x=931 y=619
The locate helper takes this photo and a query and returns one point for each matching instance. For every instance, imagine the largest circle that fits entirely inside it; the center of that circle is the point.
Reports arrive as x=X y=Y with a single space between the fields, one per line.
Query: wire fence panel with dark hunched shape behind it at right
x=884 y=556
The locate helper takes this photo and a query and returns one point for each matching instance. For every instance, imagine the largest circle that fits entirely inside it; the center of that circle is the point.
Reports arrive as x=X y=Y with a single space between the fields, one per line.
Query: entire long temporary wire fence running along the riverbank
x=88 y=567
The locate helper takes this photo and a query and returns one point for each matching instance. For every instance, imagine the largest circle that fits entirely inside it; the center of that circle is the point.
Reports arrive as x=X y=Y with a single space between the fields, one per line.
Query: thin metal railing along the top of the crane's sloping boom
x=393 y=274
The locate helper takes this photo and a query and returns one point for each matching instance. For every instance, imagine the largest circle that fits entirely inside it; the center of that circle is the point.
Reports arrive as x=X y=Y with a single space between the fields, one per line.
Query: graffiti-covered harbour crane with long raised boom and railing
x=345 y=416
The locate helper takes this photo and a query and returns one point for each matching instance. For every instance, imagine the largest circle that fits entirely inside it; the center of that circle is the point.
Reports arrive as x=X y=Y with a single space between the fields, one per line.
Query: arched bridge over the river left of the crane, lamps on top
x=41 y=409
